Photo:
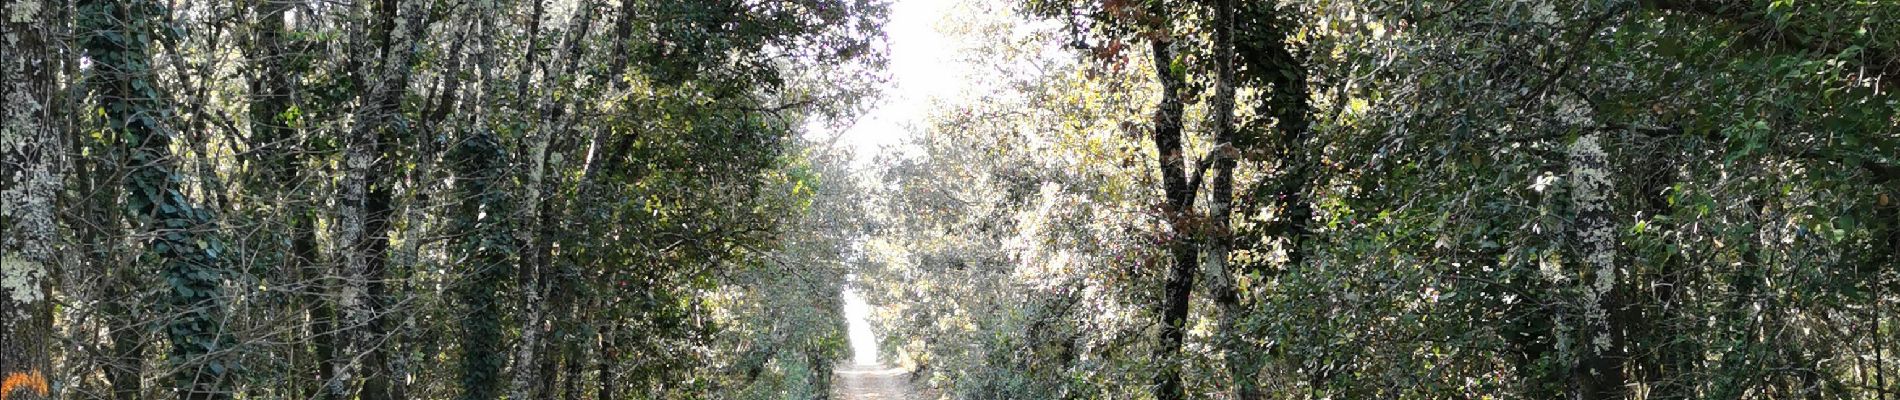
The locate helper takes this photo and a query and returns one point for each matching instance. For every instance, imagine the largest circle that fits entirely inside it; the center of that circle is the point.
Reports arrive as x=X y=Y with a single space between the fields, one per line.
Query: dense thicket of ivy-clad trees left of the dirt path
x=427 y=200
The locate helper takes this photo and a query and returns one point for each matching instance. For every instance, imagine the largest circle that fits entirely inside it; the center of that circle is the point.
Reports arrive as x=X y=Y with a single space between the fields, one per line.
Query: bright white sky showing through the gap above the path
x=922 y=67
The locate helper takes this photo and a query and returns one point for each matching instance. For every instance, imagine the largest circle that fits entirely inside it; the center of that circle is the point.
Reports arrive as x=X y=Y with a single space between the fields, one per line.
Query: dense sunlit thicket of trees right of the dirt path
x=1405 y=200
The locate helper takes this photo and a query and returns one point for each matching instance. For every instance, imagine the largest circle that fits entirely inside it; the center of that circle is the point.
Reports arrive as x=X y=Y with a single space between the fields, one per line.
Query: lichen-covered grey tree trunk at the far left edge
x=33 y=156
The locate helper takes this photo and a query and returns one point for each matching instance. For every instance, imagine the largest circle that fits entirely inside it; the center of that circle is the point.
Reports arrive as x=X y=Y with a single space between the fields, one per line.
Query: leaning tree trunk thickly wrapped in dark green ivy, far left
x=178 y=234
